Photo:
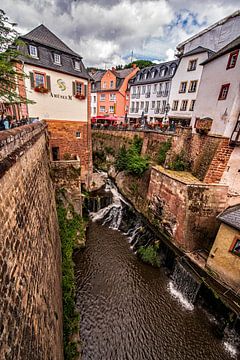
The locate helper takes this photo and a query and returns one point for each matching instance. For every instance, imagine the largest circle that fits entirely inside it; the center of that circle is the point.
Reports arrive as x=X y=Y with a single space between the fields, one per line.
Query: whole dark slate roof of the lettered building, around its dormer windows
x=47 y=43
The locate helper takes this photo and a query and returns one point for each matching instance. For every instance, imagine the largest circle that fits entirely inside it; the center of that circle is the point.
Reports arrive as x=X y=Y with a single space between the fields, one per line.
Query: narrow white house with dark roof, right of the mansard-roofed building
x=185 y=84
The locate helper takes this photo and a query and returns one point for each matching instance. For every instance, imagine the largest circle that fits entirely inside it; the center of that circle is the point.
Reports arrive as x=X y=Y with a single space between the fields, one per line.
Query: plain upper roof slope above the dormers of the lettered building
x=42 y=35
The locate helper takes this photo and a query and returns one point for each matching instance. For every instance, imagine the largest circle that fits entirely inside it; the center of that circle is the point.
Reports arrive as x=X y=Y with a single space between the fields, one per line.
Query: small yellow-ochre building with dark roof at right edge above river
x=224 y=258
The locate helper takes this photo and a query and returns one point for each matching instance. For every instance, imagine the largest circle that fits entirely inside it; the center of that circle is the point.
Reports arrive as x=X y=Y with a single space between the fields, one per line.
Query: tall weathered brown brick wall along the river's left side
x=30 y=257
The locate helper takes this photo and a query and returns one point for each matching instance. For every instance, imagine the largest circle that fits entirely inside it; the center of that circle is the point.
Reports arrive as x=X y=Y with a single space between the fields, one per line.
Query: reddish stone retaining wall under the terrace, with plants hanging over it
x=199 y=150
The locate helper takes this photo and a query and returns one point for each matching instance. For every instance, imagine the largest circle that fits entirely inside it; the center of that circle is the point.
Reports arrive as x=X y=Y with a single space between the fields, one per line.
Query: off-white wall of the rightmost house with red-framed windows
x=223 y=112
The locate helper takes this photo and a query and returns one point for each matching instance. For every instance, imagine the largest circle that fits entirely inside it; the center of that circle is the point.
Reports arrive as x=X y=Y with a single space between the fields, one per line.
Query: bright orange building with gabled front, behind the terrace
x=111 y=90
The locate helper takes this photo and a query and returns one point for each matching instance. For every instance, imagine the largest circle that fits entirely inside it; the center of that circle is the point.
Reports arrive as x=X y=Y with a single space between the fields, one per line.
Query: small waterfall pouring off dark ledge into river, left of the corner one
x=184 y=286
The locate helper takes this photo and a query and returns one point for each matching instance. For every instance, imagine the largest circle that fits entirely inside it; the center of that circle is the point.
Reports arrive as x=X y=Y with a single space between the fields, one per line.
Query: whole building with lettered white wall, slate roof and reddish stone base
x=59 y=87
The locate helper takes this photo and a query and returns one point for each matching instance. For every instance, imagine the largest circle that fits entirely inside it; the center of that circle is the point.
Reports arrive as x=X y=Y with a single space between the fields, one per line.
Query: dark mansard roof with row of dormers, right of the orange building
x=157 y=70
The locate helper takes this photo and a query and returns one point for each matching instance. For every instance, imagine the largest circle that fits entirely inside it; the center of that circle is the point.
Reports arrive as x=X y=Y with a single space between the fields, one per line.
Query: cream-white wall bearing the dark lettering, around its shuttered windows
x=51 y=108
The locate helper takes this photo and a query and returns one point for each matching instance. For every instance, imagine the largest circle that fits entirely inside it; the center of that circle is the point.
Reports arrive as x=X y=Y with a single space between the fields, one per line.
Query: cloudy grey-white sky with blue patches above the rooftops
x=106 y=32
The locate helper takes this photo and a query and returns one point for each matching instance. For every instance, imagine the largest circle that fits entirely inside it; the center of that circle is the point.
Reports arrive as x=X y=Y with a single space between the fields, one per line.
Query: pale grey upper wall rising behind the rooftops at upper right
x=218 y=37
